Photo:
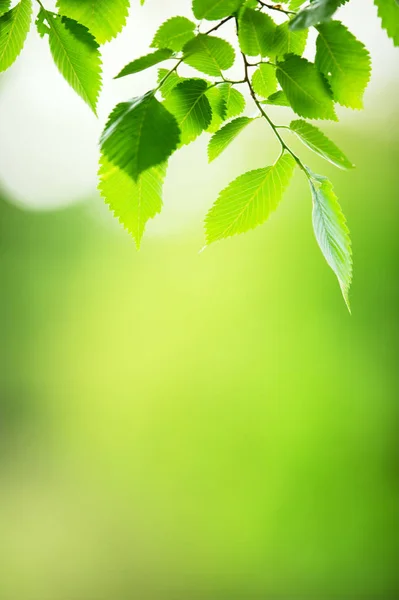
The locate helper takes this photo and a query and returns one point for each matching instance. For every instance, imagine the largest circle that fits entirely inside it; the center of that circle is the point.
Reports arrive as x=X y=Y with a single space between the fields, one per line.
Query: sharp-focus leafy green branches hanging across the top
x=142 y=133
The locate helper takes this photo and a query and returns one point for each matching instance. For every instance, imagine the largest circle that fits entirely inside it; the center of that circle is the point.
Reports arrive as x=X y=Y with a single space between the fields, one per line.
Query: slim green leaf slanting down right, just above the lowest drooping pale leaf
x=317 y=141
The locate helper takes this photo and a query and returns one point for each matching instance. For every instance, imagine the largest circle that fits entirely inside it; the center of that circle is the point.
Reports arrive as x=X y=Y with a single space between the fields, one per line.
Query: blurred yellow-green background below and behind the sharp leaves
x=176 y=425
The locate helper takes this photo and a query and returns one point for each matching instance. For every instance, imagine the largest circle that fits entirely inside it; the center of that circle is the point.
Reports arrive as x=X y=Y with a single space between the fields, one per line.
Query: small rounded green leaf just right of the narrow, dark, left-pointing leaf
x=209 y=54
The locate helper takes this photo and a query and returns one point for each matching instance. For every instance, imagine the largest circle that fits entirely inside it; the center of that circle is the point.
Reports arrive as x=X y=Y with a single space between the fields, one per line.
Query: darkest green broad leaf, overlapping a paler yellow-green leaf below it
x=140 y=134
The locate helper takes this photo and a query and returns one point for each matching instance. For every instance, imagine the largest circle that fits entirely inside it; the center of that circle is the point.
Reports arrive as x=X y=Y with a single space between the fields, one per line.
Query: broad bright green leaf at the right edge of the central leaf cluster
x=345 y=63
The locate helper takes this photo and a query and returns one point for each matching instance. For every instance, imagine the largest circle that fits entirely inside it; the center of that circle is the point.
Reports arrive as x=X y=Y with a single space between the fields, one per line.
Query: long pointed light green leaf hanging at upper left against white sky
x=75 y=53
